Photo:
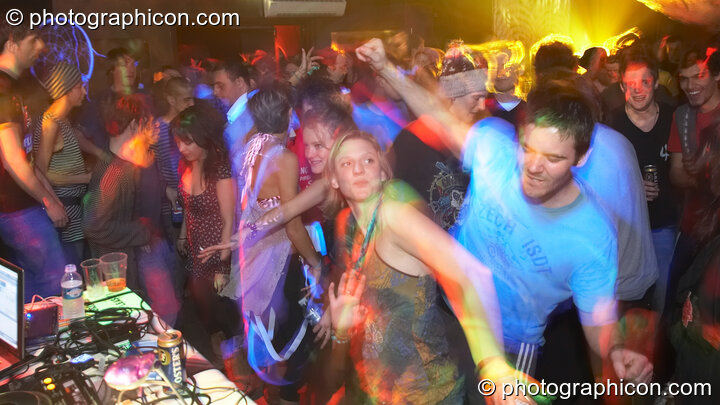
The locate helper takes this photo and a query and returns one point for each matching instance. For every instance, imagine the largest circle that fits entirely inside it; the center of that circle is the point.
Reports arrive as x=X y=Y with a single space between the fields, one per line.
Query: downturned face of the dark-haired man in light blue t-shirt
x=546 y=160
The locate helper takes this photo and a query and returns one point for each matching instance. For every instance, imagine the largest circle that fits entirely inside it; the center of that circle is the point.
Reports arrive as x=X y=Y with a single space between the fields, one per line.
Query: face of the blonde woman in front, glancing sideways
x=358 y=175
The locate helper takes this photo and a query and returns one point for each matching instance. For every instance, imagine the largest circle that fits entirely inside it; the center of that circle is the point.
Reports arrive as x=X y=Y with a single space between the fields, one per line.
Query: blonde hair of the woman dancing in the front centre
x=335 y=200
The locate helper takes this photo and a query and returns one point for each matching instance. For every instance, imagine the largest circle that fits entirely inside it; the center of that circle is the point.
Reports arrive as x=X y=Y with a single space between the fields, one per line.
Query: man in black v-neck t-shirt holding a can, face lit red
x=646 y=122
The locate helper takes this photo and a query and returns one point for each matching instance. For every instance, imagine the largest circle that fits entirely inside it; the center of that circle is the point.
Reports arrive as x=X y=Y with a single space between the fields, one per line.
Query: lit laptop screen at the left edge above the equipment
x=11 y=306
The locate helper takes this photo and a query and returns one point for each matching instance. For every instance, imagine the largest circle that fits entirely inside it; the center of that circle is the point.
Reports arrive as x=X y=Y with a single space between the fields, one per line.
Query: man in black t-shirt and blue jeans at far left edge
x=26 y=228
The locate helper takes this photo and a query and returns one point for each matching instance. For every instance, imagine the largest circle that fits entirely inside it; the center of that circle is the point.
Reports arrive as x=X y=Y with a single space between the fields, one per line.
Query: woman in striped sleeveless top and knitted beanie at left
x=57 y=152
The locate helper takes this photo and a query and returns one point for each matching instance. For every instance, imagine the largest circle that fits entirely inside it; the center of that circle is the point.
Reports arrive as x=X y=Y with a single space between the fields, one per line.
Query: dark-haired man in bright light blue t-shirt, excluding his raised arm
x=540 y=230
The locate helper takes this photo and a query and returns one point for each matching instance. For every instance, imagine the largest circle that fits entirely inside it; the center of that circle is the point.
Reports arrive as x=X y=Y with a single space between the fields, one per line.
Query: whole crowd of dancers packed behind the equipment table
x=389 y=223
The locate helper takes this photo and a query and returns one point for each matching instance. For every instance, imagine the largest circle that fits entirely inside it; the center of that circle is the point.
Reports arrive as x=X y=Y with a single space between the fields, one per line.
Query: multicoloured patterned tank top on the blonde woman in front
x=402 y=355
